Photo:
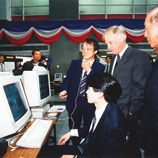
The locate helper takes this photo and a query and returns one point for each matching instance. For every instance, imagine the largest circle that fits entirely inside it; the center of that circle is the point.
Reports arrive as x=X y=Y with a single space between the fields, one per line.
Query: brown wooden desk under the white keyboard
x=26 y=152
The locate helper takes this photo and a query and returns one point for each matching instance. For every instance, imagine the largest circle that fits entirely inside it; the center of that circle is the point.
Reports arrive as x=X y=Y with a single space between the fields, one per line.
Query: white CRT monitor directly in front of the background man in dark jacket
x=37 y=87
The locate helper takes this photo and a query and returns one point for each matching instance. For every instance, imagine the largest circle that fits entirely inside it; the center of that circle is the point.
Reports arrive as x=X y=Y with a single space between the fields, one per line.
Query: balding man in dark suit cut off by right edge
x=148 y=136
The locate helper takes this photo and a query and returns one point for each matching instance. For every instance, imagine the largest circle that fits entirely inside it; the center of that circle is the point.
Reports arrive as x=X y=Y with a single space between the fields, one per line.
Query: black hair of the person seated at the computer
x=107 y=84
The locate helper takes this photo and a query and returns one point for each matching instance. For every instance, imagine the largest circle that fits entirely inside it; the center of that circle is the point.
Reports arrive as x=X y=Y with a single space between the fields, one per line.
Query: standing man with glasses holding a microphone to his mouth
x=74 y=86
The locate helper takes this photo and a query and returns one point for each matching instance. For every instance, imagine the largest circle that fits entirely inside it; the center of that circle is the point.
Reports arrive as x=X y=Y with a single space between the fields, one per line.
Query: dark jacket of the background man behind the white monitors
x=28 y=66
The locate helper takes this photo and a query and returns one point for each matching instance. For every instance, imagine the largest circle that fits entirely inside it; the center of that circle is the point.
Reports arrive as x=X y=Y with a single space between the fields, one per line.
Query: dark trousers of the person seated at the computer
x=58 y=150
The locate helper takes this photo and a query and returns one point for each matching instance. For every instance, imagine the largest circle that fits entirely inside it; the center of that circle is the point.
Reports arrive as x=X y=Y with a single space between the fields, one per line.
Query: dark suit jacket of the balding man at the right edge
x=148 y=137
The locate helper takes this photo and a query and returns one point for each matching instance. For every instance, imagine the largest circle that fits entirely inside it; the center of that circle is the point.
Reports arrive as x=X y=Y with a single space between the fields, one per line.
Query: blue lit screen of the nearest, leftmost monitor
x=15 y=101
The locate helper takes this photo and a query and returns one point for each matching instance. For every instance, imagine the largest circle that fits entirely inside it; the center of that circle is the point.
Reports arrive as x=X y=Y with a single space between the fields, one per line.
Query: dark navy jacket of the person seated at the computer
x=108 y=136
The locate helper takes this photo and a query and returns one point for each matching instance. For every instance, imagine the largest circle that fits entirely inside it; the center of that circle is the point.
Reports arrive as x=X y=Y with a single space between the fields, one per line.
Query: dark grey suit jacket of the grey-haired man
x=132 y=72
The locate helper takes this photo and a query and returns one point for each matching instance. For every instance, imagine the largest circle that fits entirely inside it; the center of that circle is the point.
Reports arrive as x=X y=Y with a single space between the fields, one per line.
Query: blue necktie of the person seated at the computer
x=82 y=145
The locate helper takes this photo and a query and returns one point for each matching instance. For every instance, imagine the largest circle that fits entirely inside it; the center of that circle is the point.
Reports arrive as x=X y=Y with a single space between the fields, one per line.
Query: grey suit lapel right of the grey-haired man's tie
x=123 y=60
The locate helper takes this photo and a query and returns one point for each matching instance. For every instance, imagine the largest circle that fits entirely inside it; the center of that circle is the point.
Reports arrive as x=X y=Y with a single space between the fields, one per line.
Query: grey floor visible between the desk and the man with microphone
x=62 y=122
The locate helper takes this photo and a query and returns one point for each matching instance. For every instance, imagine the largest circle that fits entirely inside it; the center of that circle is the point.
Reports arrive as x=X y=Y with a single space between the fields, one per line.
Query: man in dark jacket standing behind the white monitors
x=29 y=65
